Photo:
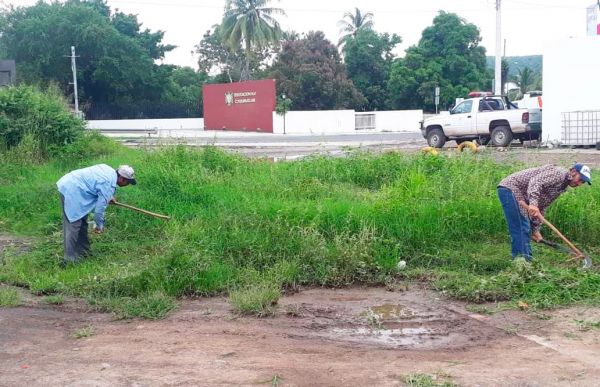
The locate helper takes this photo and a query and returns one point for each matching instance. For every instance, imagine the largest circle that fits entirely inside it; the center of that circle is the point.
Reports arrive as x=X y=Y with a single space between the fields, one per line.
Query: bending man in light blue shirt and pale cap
x=81 y=192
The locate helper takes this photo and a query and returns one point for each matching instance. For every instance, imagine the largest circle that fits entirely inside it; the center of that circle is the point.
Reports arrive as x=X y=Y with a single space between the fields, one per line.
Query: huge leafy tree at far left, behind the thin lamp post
x=116 y=59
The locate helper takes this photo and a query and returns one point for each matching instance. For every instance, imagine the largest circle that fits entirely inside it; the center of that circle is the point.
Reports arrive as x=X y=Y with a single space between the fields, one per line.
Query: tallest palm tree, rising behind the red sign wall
x=252 y=24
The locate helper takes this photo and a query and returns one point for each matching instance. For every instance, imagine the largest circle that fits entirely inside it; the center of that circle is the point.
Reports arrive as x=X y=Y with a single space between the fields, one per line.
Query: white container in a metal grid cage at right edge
x=580 y=127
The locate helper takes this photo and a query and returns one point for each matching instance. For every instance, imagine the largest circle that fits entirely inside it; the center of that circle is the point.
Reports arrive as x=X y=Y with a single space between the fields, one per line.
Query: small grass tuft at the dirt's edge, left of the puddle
x=257 y=299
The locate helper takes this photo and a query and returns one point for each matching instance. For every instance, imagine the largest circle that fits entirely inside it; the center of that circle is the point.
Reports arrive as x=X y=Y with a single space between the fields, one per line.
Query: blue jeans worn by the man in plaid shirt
x=518 y=225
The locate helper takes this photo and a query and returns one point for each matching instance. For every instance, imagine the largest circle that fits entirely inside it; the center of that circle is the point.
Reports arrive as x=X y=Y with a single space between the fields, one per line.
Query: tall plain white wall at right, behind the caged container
x=571 y=81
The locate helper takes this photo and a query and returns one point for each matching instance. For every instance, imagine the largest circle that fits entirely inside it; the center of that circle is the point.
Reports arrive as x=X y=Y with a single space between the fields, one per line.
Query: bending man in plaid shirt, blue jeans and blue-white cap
x=538 y=187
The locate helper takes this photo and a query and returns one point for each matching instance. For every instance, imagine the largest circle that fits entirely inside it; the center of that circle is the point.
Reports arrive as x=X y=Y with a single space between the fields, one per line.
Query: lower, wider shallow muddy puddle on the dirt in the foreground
x=395 y=337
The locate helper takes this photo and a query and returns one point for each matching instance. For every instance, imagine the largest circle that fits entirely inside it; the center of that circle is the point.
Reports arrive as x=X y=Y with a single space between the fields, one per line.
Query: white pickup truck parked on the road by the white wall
x=485 y=119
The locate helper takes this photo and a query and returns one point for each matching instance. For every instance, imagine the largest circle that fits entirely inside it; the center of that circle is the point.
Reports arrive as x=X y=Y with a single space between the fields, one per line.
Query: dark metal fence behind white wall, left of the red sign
x=142 y=110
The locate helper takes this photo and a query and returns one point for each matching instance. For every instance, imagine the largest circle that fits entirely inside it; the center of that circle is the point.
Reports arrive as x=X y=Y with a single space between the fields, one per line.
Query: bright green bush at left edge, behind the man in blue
x=44 y=116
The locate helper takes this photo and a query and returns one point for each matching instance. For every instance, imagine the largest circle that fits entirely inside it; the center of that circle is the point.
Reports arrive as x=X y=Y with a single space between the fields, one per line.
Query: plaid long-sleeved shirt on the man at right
x=538 y=187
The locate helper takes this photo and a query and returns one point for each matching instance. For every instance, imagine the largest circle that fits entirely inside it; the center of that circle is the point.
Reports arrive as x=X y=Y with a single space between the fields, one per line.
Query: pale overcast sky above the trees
x=527 y=25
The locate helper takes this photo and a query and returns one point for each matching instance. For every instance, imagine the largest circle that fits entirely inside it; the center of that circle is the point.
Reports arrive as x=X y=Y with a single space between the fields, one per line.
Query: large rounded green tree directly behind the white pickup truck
x=448 y=55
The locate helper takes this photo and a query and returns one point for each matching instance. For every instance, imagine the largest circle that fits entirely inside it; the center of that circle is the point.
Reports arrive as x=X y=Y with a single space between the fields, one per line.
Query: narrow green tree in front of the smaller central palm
x=368 y=57
